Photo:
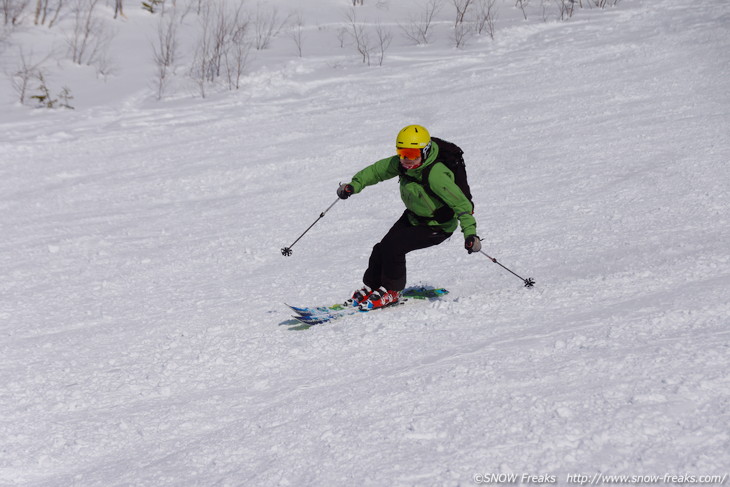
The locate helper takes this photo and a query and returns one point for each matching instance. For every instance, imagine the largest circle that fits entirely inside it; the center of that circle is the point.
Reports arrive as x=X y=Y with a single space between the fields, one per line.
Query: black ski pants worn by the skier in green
x=387 y=266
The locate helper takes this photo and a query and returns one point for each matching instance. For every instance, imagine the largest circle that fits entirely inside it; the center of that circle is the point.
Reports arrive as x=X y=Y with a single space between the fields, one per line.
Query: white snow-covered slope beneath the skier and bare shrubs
x=143 y=337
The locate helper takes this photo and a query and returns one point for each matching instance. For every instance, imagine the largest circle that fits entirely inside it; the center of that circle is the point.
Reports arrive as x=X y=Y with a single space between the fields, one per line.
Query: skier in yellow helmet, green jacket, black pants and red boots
x=429 y=219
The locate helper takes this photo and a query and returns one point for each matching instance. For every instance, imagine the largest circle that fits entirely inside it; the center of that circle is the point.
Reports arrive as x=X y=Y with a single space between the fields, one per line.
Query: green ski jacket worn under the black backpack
x=416 y=198
